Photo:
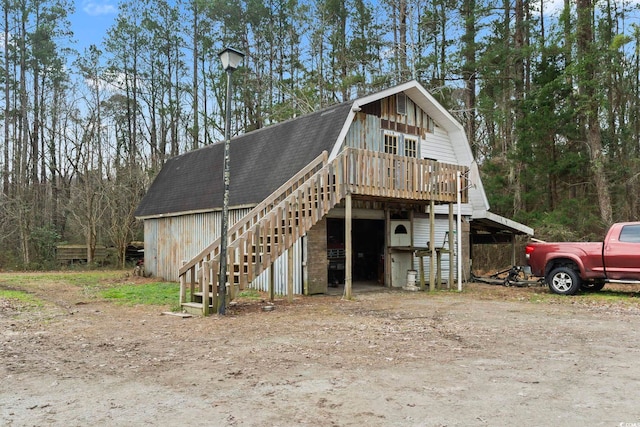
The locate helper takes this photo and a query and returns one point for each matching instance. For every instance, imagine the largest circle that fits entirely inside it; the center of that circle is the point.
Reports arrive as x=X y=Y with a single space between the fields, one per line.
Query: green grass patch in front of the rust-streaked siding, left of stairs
x=156 y=293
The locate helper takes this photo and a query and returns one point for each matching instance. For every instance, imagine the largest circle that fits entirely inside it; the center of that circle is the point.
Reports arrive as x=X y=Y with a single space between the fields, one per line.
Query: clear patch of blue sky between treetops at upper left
x=91 y=21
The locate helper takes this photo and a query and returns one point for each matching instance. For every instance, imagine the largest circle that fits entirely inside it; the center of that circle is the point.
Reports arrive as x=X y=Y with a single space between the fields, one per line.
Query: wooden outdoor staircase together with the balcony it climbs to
x=274 y=225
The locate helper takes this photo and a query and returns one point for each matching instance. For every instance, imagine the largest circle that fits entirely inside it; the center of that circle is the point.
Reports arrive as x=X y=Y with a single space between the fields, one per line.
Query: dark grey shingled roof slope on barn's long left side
x=260 y=162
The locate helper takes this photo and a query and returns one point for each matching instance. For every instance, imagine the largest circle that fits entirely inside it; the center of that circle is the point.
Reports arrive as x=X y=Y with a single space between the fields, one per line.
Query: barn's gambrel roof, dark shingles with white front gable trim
x=263 y=160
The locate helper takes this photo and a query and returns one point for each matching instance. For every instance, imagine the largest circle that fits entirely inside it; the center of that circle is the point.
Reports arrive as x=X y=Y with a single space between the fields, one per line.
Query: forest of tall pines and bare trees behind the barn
x=548 y=94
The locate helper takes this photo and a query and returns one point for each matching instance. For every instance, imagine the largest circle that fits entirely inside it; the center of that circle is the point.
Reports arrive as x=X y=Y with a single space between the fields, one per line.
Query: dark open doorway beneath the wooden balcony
x=367 y=252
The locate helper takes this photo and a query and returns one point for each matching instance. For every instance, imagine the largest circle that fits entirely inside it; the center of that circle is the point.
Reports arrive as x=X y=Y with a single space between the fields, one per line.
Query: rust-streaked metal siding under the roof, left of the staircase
x=170 y=240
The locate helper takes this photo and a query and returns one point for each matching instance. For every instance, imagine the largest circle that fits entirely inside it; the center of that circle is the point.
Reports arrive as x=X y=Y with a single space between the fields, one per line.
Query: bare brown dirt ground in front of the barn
x=490 y=356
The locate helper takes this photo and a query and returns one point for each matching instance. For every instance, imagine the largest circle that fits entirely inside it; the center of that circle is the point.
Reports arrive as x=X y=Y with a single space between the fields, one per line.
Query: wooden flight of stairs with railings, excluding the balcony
x=264 y=234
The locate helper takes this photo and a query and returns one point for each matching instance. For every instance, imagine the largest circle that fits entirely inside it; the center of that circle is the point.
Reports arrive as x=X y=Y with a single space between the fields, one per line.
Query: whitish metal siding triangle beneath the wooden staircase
x=281 y=271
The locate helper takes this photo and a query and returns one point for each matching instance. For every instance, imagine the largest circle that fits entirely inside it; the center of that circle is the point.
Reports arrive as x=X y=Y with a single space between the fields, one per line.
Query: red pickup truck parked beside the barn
x=571 y=266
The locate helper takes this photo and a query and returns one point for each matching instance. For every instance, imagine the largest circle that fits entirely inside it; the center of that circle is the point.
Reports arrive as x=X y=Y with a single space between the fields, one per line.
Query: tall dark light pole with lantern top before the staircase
x=230 y=59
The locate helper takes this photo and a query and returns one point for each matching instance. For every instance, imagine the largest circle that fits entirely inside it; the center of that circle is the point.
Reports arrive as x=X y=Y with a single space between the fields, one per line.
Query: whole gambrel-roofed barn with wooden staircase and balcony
x=367 y=191
